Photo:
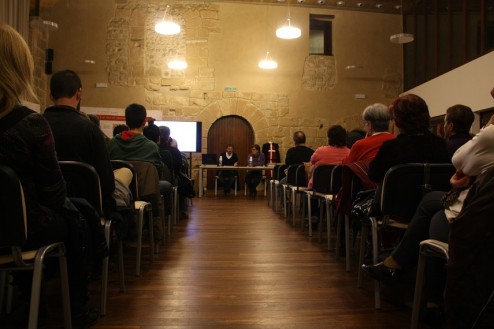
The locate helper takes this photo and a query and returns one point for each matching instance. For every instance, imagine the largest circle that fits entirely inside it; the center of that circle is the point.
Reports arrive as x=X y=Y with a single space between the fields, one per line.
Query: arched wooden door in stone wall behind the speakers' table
x=235 y=130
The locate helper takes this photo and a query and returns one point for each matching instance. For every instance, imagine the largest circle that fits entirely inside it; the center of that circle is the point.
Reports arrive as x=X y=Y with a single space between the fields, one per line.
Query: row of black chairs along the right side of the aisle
x=401 y=192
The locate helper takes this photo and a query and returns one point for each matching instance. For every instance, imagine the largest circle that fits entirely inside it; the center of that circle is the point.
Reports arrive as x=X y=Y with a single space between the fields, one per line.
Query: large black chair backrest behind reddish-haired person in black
x=404 y=185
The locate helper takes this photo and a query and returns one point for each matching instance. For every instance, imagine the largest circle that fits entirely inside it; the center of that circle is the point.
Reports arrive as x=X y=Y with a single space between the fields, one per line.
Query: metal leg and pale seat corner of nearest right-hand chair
x=428 y=248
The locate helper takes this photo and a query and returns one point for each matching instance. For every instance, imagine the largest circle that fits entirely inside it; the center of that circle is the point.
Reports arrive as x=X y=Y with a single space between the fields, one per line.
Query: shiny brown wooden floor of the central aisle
x=236 y=263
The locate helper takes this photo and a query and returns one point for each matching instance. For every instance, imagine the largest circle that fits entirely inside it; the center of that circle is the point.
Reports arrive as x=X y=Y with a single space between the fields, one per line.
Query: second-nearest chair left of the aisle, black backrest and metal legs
x=83 y=182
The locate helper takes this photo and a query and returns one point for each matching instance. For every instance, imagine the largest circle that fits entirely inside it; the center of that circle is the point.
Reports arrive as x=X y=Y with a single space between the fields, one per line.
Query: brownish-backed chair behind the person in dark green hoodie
x=147 y=203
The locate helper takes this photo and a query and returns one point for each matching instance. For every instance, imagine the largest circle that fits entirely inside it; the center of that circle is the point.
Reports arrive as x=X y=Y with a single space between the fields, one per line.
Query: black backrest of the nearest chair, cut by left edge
x=13 y=220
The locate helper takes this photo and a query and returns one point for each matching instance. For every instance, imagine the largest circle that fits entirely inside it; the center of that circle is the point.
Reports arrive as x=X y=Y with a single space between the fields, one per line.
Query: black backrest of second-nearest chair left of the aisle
x=82 y=182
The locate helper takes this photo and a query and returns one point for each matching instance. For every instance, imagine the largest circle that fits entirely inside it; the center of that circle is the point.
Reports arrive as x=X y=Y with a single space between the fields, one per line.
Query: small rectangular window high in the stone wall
x=320 y=35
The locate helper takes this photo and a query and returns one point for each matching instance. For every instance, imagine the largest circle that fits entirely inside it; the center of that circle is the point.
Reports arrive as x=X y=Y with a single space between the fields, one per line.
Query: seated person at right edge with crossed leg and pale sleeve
x=432 y=217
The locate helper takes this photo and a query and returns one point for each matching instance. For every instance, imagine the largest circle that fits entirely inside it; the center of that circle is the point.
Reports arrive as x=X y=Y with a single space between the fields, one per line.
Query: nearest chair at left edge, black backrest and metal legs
x=13 y=234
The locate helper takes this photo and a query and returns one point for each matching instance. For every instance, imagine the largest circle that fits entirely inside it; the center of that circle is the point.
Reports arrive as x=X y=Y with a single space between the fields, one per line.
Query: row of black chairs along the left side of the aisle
x=82 y=182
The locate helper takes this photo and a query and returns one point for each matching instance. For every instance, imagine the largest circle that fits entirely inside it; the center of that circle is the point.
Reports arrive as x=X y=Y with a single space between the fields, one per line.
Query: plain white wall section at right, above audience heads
x=469 y=84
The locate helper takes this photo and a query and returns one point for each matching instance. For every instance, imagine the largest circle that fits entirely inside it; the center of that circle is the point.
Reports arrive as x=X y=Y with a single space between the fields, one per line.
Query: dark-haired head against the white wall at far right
x=457 y=123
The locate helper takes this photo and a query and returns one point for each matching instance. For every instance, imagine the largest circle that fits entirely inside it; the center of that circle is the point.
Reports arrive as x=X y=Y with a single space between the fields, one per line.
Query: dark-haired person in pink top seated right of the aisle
x=334 y=153
